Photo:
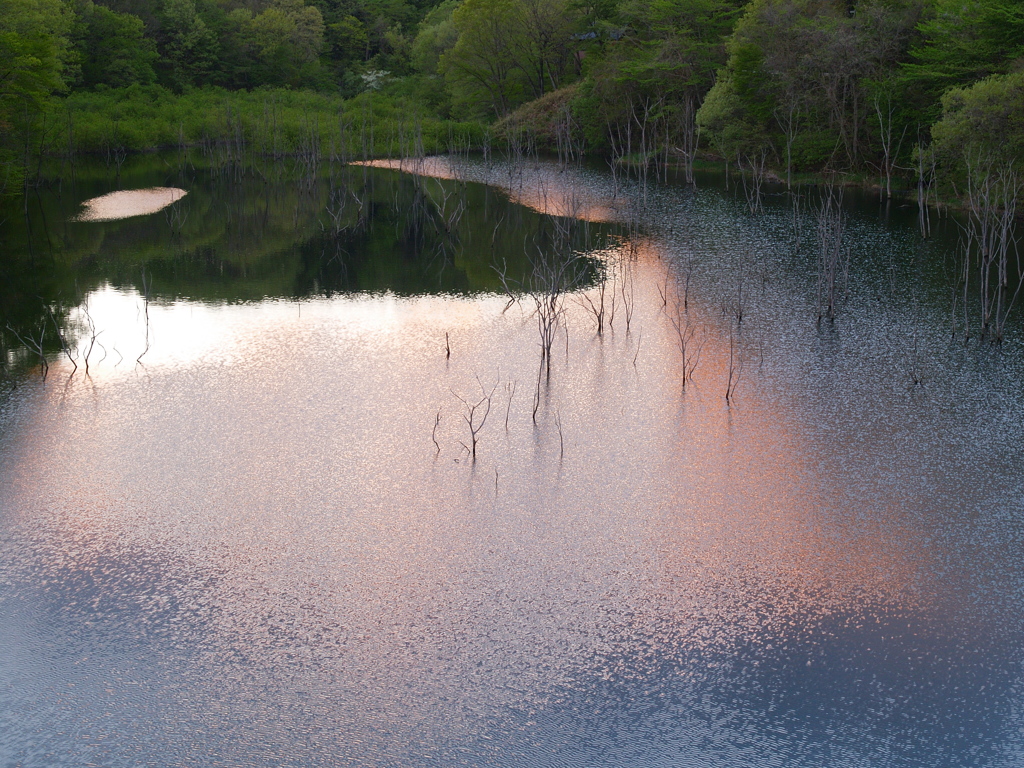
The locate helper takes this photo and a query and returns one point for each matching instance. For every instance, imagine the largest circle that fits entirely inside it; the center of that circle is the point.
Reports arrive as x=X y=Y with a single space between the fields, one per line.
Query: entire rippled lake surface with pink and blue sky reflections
x=251 y=535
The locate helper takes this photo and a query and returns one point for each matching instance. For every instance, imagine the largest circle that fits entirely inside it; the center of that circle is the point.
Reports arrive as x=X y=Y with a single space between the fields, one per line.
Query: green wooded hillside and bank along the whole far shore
x=898 y=92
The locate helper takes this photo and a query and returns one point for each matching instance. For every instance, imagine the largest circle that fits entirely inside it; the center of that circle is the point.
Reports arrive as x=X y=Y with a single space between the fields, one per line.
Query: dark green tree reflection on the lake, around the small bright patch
x=258 y=236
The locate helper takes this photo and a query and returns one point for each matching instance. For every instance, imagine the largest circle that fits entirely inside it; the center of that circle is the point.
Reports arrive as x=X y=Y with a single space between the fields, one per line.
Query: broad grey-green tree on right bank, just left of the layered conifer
x=812 y=76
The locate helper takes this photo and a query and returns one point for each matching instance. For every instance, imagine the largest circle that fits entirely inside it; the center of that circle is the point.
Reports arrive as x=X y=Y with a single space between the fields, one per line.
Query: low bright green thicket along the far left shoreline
x=268 y=122
